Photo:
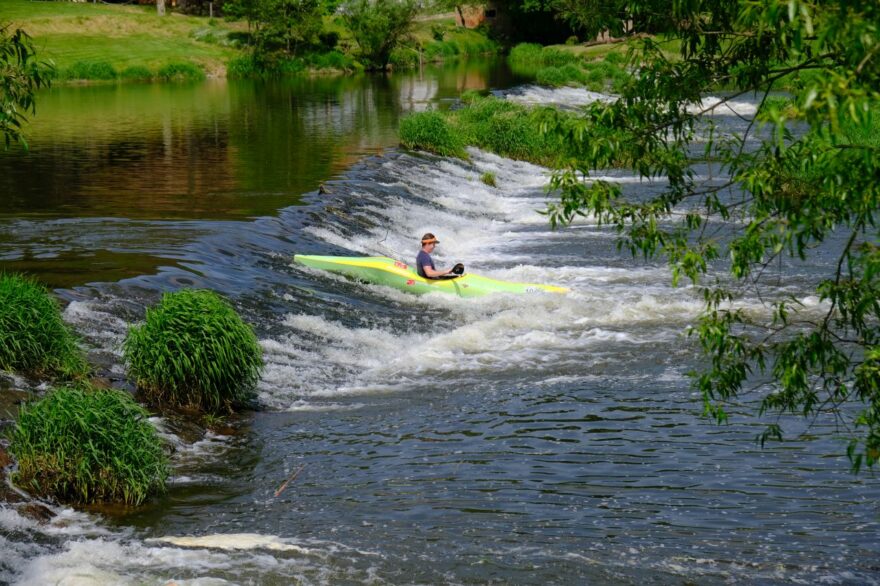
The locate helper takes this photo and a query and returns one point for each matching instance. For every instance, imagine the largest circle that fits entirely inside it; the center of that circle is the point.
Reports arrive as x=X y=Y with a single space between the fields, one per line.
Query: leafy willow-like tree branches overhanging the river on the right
x=783 y=198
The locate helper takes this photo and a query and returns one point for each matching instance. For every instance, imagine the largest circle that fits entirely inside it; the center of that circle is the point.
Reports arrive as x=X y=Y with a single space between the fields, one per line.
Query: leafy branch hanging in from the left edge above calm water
x=20 y=77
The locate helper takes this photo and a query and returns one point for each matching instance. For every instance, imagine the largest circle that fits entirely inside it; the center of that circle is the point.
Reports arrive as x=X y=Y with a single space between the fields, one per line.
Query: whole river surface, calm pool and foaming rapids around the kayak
x=545 y=439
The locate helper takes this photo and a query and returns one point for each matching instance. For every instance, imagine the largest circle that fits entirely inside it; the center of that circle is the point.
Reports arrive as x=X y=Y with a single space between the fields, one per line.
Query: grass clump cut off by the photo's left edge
x=33 y=337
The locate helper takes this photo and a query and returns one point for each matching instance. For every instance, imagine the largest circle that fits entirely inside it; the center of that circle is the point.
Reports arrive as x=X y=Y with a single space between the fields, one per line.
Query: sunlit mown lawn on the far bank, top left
x=123 y=36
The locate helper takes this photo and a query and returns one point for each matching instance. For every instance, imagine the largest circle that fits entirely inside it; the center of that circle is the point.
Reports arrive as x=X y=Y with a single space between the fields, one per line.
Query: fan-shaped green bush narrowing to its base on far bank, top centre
x=379 y=26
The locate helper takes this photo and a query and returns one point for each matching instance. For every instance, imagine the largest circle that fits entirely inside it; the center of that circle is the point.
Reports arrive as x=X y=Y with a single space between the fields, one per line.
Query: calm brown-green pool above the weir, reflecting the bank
x=212 y=151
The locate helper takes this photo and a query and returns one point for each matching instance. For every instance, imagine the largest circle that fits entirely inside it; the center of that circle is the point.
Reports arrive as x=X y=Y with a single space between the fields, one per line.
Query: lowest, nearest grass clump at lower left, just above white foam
x=85 y=446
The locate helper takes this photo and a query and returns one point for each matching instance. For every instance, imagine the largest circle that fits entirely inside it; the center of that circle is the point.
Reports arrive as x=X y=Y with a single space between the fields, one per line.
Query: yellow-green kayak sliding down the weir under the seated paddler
x=382 y=270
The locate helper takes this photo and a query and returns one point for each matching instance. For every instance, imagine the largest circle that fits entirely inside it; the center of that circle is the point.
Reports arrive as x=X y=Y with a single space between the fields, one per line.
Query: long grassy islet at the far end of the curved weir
x=492 y=124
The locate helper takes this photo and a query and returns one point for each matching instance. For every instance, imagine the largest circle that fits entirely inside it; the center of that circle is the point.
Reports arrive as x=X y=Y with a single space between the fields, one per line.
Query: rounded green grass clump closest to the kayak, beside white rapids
x=194 y=351
